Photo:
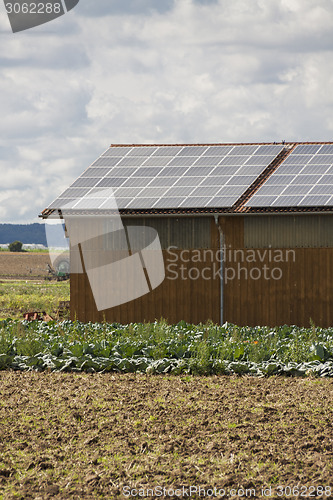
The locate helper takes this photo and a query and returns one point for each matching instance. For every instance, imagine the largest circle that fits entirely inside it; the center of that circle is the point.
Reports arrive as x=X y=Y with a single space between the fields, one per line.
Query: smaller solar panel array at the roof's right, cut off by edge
x=305 y=178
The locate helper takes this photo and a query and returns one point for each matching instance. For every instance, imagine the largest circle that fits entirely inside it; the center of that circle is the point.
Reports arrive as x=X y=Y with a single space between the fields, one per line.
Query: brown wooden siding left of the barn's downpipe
x=191 y=300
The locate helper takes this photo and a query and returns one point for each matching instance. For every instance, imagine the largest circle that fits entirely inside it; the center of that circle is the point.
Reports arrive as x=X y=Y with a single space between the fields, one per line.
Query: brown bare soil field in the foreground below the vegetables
x=87 y=436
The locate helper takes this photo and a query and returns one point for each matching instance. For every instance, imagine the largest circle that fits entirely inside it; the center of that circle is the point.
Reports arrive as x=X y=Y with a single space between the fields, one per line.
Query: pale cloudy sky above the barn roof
x=156 y=71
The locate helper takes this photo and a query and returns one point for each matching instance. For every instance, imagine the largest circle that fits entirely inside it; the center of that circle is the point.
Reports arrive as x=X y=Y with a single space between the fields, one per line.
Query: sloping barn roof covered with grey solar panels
x=204 y=178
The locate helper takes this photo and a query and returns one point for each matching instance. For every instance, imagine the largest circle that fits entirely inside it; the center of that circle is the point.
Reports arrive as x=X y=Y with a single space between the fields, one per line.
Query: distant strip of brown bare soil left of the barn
x=23 y=265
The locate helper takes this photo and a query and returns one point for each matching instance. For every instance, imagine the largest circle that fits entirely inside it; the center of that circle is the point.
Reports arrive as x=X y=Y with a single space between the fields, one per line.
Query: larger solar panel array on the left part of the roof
x=162 y=177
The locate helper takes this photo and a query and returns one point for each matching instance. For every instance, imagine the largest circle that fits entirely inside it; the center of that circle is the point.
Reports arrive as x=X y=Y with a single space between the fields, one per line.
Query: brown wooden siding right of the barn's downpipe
x=304 y=292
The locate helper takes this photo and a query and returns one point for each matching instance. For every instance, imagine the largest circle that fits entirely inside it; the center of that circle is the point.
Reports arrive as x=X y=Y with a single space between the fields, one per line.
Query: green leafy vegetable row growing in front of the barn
x=162 y=348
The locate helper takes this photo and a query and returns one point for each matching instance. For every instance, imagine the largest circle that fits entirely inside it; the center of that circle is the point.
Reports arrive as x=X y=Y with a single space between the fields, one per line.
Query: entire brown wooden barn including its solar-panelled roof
x=246 y=231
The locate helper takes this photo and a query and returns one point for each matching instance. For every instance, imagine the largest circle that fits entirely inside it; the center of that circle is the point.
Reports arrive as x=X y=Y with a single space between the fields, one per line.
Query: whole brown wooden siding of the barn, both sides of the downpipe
x=304 y=291
